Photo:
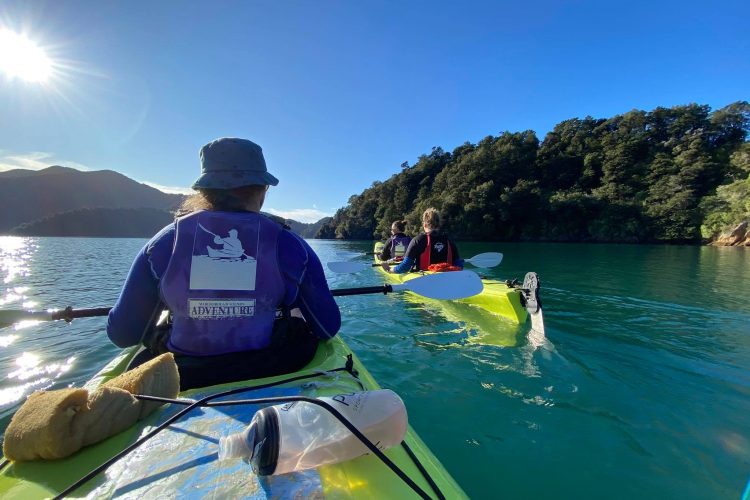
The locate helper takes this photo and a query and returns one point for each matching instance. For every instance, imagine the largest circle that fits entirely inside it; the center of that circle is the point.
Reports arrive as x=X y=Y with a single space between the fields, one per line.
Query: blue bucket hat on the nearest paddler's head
x=229 y=163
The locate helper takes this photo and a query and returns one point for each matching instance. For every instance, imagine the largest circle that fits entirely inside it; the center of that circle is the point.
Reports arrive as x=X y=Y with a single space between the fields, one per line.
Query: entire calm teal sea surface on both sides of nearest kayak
x=641 y=388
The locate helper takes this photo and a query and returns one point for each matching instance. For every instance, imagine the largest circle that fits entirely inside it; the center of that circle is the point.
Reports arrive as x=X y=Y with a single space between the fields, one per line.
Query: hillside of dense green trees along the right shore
x=671 y=174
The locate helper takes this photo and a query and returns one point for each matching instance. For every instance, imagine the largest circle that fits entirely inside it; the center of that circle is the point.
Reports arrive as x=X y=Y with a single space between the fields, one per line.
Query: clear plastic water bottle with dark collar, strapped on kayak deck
x=300 y=435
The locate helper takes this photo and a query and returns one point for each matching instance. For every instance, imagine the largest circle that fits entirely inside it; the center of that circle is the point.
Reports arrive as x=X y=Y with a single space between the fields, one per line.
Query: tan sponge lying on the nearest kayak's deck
x=55 y=424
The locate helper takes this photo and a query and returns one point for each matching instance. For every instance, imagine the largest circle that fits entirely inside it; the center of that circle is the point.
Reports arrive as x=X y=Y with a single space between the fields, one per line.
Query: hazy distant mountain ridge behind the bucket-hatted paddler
x=63 y=201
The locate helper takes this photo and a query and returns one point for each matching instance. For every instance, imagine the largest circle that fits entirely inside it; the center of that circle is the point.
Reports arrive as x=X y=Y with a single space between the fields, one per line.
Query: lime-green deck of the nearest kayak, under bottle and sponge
x=181 y=460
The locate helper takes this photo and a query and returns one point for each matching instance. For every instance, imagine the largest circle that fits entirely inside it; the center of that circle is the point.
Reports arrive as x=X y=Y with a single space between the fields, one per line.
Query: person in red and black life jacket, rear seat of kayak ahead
x=431 y=250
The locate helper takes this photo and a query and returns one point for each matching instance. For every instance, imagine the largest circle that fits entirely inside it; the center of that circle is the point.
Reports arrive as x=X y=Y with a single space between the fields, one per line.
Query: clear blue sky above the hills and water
x=339 y=94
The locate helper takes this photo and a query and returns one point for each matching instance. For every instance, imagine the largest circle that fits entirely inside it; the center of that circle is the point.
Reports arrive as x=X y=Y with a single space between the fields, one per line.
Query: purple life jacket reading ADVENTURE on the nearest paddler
x=223 y=284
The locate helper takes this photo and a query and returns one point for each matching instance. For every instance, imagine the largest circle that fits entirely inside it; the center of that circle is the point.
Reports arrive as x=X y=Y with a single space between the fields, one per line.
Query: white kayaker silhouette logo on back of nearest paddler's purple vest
x=220 y=257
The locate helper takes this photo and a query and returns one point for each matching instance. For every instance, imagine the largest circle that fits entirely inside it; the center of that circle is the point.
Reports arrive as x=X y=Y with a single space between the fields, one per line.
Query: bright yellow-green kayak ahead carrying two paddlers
x=497 y=297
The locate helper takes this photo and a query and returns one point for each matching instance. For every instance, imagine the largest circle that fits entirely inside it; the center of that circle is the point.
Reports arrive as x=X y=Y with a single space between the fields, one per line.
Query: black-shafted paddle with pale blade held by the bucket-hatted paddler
x=442 y=286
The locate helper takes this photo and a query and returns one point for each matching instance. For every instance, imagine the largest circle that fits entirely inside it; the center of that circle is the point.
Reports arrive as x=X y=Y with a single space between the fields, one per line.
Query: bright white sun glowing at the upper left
x=21 y=58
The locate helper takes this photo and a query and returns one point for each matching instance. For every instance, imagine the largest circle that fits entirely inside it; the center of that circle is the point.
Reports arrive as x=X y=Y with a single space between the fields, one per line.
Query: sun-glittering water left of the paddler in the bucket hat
x=44 y=273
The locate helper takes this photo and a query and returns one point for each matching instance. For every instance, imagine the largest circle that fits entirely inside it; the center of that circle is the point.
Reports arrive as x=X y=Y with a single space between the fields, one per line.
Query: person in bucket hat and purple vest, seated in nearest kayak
x=247 y=297
